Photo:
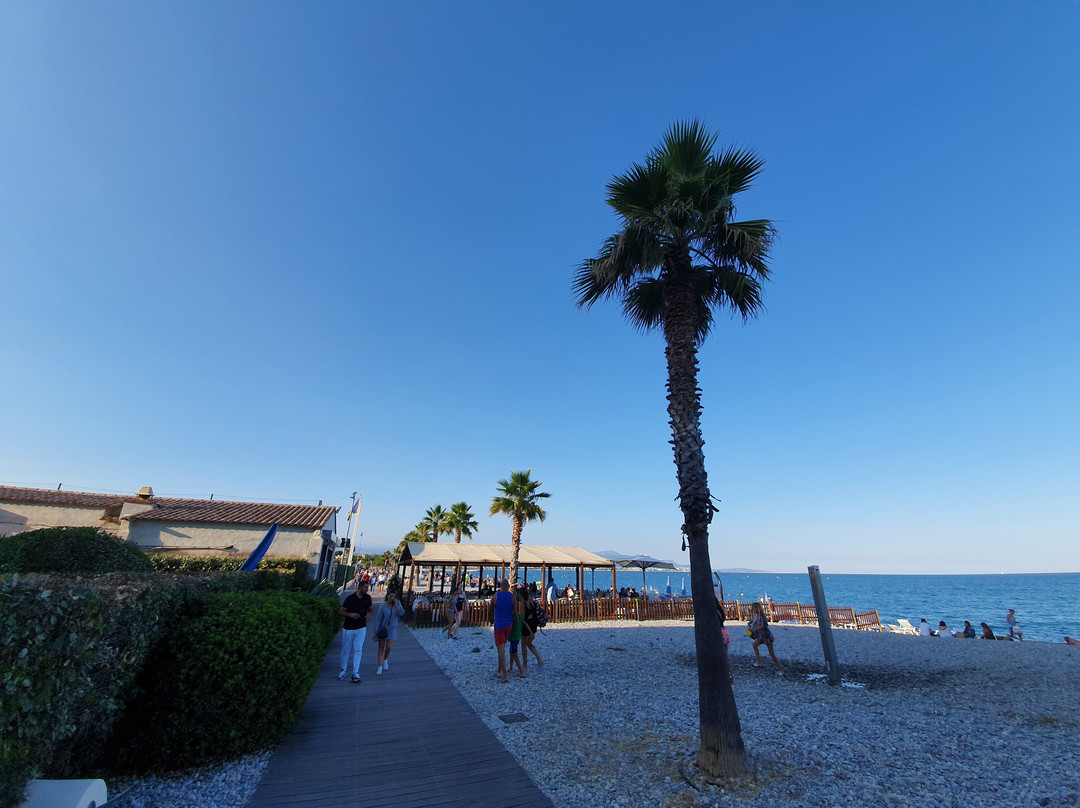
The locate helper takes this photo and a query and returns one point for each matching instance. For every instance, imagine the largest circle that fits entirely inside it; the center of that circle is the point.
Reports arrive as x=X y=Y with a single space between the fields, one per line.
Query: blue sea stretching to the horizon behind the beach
x=1048 y=605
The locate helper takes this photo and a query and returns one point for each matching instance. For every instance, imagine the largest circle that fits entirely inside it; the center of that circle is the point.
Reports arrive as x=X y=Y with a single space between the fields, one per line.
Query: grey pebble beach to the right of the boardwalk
x=612 y=718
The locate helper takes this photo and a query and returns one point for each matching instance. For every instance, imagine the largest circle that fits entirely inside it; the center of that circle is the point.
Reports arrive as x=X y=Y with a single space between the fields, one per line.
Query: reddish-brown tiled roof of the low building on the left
x=167 y=509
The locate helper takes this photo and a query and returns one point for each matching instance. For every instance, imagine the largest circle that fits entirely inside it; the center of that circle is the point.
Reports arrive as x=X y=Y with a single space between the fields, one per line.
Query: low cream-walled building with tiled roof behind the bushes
x=190 y=527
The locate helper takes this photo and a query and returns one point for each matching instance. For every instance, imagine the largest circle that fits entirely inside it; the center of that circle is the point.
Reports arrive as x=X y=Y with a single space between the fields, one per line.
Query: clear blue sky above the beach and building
x=287 y=252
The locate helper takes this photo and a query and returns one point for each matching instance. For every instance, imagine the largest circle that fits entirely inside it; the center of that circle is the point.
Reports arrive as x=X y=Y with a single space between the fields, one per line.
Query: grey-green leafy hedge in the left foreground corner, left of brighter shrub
x=70 y=655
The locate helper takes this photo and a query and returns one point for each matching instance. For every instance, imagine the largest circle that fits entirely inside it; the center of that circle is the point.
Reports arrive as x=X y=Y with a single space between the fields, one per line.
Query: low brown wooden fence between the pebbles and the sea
x=427 y=615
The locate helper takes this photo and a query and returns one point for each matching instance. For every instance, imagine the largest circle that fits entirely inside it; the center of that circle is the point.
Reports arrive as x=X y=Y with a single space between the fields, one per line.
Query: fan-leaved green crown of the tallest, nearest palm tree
x=677 y=213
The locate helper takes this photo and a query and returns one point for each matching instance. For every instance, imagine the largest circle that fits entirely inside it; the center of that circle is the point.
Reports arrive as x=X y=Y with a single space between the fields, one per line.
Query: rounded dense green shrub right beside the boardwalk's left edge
x=228 y=683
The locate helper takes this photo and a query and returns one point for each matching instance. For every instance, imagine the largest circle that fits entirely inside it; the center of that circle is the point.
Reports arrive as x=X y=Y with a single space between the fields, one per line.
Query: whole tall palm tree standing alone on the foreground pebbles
x=680 y=257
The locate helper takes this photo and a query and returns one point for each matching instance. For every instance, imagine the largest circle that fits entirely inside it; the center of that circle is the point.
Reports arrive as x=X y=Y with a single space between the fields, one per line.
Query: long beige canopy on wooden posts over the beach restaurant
x=496 y=558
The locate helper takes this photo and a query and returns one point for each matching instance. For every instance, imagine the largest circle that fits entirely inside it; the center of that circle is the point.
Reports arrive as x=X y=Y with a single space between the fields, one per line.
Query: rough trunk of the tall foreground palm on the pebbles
x=722 y=752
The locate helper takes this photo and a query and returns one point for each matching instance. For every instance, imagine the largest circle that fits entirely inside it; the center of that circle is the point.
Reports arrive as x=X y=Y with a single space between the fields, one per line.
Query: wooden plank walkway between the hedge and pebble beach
x=407 y=739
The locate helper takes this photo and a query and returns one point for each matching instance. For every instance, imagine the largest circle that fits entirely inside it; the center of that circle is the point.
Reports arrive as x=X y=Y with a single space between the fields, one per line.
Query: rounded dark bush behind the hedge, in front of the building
x=76 y=550
